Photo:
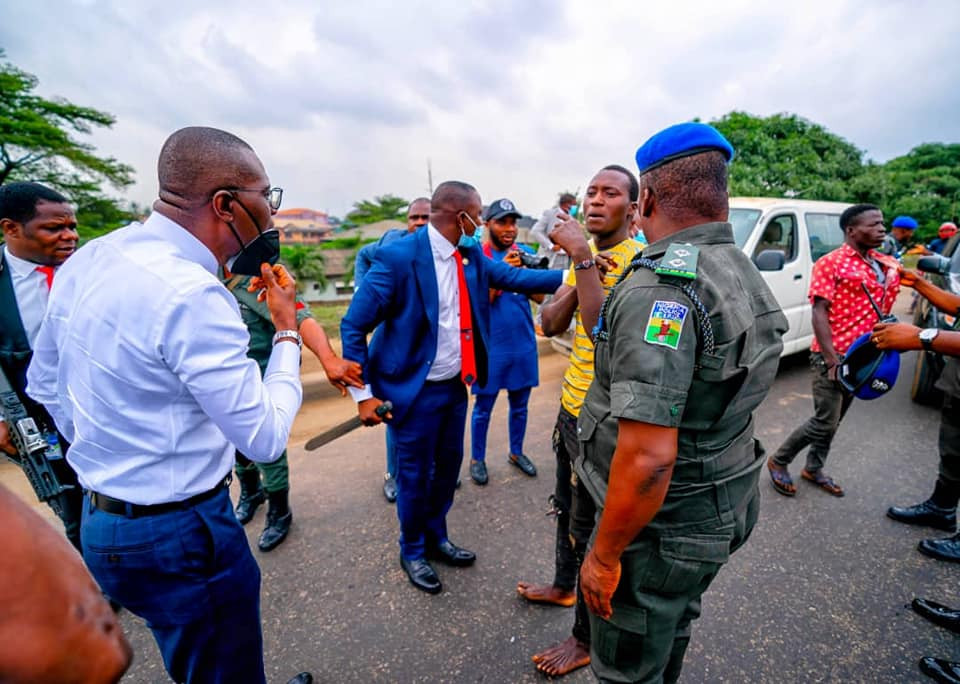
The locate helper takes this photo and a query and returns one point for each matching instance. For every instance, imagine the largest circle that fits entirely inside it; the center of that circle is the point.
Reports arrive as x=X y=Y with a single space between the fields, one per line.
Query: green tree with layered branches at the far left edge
x=38 y=142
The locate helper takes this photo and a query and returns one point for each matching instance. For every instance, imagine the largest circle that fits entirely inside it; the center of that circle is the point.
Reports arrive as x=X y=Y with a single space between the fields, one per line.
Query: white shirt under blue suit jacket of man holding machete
x=446 y=362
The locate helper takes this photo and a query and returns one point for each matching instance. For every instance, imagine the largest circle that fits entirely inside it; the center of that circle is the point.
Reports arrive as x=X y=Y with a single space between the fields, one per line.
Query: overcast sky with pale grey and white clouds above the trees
x=347 y=100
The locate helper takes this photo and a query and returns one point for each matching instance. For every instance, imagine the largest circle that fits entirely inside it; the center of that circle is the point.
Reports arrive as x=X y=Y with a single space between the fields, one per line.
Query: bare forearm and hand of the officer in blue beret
x=639 y=478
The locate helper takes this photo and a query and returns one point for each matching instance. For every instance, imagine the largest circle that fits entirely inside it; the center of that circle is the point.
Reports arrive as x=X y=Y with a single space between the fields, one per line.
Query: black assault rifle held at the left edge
x=34 y=447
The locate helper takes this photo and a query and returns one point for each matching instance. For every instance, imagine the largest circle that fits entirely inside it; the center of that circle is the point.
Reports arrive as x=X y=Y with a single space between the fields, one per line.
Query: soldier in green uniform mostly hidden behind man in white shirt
x=275 y=487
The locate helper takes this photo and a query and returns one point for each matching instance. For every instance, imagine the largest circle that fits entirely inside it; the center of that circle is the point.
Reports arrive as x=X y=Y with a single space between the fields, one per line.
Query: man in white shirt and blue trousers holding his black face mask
x=141 y=360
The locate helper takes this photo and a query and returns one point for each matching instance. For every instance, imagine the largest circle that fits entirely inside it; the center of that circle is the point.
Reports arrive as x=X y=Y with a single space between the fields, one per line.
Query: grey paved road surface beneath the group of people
x=820 y=593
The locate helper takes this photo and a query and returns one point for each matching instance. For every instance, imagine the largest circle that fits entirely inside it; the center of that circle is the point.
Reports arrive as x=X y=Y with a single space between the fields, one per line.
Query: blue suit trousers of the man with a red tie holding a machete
x=429 y=445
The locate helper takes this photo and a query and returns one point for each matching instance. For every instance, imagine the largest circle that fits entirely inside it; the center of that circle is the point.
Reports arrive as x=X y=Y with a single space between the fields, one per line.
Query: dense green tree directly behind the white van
x=785 y=155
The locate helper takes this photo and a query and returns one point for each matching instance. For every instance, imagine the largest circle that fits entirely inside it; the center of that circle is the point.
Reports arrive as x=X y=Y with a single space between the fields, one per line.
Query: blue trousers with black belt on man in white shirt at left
x=190 y=574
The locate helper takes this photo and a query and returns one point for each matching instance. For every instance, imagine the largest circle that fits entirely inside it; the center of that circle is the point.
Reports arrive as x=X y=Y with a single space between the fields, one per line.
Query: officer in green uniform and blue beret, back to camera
x=687 y=346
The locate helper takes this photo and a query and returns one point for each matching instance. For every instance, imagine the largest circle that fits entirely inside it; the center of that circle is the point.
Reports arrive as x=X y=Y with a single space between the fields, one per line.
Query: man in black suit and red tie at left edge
x=39 y=233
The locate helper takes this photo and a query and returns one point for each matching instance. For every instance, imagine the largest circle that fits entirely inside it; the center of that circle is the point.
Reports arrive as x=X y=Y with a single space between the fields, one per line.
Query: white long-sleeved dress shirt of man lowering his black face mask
x=142 y=362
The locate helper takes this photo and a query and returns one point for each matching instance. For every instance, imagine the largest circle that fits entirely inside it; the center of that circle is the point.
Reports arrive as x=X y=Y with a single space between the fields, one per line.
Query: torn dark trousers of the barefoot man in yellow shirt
x=576 y=513
